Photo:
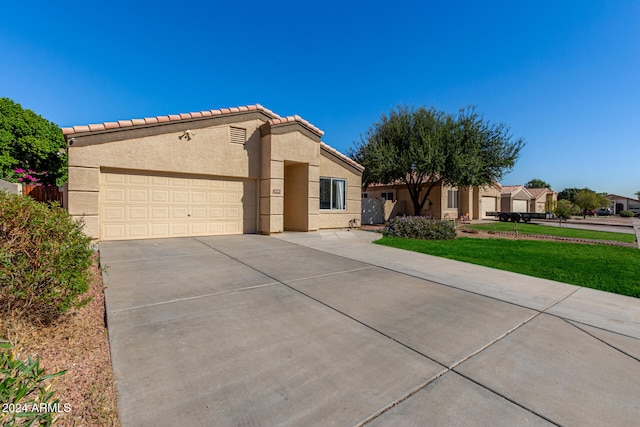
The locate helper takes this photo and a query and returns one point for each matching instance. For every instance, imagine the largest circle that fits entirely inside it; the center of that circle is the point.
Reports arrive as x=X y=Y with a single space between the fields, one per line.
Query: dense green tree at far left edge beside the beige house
x=30 y=142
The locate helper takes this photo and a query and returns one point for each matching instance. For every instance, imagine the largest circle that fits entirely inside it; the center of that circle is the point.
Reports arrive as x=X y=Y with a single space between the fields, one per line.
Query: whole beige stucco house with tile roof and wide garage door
x=228 y=171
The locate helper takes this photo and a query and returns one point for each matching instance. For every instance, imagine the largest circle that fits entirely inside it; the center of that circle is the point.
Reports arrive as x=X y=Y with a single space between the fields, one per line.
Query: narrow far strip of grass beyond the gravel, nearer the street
x=556 y=231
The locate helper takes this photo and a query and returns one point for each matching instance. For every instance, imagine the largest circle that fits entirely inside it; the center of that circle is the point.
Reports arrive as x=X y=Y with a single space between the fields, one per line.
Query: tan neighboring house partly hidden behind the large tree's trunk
x=443 y=201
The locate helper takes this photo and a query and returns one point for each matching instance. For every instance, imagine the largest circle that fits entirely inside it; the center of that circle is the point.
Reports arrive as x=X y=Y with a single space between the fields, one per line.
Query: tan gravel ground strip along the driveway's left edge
x=78 y=343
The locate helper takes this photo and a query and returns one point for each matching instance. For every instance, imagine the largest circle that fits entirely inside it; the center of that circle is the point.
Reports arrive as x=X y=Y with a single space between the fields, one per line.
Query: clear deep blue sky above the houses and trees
x=565 y=75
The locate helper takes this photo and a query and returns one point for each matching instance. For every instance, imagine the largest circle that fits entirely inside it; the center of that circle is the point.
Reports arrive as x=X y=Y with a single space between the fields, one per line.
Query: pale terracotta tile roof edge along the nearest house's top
x=171 y=118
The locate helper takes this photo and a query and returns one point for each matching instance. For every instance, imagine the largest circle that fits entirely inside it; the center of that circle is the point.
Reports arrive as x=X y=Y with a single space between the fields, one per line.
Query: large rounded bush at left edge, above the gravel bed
x=45 y=259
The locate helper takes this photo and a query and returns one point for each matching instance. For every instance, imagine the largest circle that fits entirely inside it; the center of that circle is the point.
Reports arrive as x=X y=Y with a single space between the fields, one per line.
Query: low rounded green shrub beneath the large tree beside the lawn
x=420 y=227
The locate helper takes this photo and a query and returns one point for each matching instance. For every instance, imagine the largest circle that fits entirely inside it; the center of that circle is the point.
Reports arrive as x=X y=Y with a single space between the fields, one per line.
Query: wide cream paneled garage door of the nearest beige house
x=140 y=206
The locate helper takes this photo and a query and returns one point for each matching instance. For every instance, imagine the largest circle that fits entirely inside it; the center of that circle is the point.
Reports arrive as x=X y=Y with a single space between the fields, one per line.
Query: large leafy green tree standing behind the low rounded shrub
x=423 y=147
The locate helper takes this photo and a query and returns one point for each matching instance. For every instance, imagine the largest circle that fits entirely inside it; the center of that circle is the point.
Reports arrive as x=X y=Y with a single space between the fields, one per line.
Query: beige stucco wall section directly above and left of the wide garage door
x=209 y=151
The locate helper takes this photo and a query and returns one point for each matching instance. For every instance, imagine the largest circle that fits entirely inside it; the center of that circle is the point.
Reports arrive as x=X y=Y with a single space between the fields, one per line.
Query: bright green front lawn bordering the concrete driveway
x=607 y=268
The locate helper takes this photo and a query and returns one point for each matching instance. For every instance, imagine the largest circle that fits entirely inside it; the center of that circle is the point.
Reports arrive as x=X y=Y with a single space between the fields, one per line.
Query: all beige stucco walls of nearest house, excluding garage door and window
x=274 y=152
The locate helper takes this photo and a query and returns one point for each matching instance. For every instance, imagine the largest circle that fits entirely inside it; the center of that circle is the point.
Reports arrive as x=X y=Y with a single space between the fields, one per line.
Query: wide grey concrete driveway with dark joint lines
x=328 y=329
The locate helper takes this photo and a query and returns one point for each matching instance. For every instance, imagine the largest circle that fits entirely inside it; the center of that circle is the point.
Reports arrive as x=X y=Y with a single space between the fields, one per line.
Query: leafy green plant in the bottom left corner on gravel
x=25 y=391
